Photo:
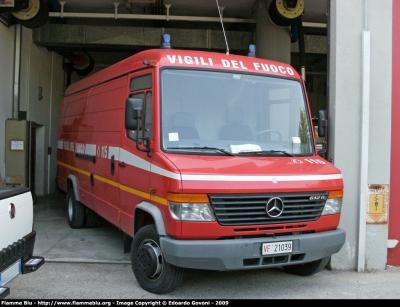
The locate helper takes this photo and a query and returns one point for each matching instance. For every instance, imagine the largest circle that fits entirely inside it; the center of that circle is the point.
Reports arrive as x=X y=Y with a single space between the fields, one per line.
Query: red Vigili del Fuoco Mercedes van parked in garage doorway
x=205 y=160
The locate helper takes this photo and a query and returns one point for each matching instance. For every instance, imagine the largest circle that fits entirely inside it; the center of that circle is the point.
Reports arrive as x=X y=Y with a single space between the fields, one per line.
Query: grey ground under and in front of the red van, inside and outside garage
x=91 y=264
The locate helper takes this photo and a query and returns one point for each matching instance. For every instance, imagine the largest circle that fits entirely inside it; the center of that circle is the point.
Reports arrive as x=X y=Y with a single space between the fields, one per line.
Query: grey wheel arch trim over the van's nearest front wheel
x=147 y=213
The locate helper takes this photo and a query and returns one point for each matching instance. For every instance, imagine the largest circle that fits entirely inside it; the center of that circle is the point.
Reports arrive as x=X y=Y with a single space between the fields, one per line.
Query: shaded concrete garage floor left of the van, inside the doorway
x=57 y=242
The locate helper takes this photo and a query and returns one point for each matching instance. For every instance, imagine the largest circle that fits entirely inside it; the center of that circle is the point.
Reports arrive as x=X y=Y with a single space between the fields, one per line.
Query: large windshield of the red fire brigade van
x=225 y=113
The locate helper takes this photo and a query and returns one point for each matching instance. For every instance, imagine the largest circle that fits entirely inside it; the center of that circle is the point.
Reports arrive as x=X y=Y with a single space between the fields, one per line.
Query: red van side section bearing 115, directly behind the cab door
x=107 y=102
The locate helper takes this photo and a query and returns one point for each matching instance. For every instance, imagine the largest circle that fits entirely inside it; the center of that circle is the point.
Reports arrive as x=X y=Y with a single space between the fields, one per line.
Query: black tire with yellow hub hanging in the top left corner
x=34 y=16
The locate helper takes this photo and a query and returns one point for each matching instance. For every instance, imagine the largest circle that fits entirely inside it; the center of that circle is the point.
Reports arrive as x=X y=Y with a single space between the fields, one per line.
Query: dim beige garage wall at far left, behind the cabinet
x=38 y=67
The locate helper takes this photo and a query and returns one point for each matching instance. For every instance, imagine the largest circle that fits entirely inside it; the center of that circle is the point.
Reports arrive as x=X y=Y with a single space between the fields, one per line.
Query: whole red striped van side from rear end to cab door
x=91 y=128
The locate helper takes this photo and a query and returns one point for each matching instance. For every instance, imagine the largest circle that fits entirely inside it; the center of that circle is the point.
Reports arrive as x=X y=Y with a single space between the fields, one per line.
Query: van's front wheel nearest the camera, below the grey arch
x=148 y=265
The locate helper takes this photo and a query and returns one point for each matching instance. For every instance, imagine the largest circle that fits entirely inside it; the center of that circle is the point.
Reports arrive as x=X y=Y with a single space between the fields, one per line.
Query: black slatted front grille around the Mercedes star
x=250 y=209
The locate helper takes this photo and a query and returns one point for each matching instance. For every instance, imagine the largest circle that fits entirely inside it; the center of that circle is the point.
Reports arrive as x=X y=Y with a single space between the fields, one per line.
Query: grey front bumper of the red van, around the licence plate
x=240 y=254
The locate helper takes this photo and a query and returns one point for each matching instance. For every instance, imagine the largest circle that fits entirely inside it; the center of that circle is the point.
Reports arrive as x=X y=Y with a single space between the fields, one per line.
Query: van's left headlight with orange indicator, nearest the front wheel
x=188 y=207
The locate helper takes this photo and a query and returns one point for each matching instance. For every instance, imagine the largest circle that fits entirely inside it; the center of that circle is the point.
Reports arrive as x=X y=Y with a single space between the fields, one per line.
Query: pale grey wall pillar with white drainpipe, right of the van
x=360 y=122
